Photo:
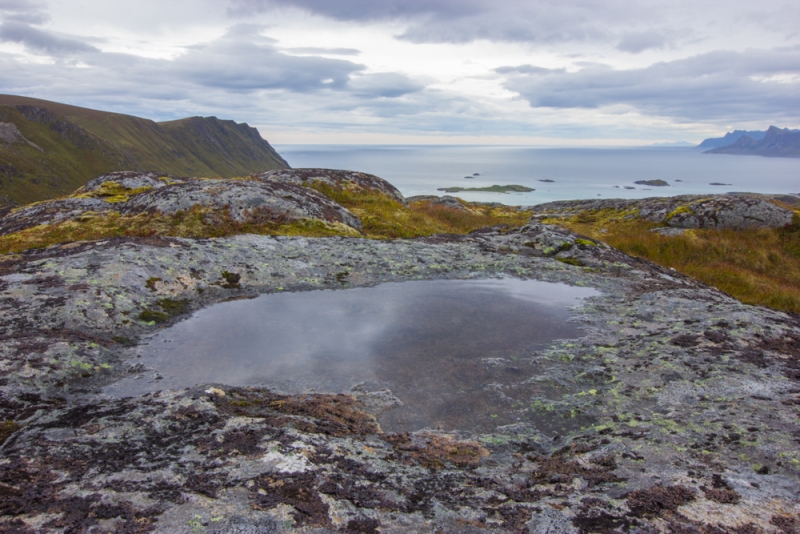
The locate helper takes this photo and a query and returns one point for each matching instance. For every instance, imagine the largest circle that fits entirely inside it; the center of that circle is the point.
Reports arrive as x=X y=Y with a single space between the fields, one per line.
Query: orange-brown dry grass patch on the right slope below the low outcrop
x=758 y=266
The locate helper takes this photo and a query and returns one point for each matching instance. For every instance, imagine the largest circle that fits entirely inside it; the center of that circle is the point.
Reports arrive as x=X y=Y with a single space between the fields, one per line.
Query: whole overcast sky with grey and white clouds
x=534 y=72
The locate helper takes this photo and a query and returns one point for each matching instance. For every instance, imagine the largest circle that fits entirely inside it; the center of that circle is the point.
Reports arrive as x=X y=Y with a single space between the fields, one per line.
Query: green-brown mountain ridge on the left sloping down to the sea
x=48 y=149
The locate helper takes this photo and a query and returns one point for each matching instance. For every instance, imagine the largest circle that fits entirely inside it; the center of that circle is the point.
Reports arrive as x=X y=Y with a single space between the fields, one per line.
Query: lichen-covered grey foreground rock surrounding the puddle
x=680 y=403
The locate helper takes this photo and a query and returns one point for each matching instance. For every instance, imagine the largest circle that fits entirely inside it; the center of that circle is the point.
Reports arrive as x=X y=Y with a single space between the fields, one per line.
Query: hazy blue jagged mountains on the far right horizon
x=774 y=142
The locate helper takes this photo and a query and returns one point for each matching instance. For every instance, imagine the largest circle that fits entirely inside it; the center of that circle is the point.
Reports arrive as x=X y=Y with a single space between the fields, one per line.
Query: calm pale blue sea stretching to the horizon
x=576 y=172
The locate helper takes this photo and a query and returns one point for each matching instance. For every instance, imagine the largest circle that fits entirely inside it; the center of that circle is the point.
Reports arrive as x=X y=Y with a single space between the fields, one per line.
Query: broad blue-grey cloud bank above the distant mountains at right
x=732 y=86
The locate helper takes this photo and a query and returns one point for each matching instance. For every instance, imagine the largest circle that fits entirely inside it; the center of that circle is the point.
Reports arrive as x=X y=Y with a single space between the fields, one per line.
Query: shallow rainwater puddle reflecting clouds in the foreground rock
x=459 y=354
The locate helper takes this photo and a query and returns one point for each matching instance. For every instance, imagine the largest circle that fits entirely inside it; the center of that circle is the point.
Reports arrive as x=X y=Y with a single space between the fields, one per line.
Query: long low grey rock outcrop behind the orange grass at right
x=687 y=211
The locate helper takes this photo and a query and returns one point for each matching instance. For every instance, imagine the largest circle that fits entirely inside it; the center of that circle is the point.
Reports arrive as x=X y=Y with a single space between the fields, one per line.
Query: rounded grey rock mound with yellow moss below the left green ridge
x=132 y=193
